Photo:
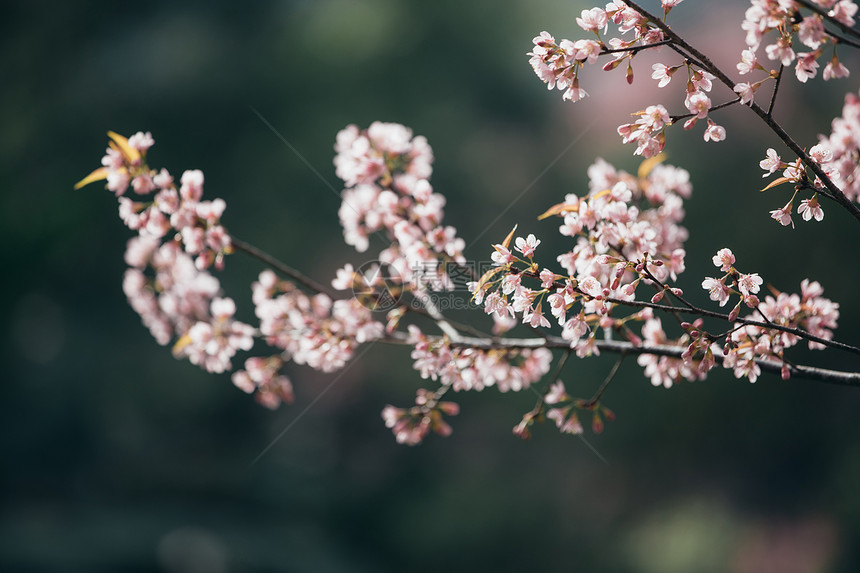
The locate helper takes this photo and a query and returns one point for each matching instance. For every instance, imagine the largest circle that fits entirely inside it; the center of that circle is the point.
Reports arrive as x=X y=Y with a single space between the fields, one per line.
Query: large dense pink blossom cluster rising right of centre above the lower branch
x=627 y=229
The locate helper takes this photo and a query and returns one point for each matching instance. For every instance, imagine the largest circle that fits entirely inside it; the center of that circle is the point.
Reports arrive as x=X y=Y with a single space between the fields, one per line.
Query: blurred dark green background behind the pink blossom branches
x=116 y=457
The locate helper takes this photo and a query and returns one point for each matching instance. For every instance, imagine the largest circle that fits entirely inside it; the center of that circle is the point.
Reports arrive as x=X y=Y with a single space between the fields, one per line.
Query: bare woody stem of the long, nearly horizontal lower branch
x=839 y=377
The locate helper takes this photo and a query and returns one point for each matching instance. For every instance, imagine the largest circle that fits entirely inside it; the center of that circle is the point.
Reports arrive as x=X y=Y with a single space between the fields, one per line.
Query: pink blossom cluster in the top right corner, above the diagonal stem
x=784 y=18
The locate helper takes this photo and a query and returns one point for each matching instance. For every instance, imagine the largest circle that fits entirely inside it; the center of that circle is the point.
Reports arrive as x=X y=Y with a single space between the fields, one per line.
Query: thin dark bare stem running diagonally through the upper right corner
x=834 y=192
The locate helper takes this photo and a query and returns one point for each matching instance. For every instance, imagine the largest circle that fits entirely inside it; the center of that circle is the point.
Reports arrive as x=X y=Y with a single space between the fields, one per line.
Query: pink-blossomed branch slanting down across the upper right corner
x=559 y=64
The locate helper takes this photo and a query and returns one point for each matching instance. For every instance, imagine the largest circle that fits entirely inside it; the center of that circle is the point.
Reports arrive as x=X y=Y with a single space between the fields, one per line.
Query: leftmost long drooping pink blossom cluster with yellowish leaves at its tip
x=179 y=237
